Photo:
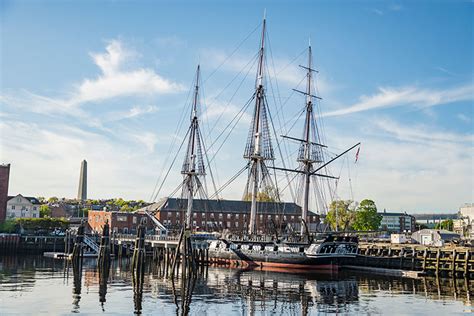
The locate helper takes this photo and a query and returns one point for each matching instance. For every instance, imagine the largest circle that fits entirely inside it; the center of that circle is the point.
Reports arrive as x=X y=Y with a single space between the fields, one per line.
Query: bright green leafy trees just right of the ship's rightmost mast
x=344 y=215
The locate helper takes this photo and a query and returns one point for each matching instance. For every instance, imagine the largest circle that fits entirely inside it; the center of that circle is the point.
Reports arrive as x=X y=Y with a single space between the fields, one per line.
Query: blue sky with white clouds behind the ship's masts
x=109 y=82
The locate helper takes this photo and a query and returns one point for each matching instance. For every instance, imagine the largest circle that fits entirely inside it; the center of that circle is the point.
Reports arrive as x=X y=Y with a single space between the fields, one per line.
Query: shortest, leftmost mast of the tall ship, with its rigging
x=193 y=166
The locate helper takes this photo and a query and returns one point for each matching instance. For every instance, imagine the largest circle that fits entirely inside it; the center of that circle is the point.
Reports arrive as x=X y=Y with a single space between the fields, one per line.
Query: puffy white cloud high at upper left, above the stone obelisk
x=116 y=80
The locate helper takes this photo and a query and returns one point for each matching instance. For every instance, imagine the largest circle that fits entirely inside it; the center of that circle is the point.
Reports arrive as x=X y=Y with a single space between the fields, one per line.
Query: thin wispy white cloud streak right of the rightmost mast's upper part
x=409 y=96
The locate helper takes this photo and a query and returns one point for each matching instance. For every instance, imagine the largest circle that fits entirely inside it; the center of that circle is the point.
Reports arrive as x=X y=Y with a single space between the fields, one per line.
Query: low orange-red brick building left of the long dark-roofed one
x=120 y=222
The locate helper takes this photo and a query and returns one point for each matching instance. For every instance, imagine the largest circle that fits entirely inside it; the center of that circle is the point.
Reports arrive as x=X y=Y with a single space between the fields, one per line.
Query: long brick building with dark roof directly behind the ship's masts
x=217 y=215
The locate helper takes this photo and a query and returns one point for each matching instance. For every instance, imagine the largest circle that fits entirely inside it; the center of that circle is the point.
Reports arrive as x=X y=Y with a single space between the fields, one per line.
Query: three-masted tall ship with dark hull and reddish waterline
x=324 y=251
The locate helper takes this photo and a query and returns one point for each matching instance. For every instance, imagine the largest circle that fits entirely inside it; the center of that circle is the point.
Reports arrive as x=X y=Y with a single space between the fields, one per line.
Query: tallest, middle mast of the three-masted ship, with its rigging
x=258 y=148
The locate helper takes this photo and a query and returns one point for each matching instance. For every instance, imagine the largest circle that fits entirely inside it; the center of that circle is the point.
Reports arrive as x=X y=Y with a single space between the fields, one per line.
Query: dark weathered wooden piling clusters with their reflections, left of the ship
x=181 y=264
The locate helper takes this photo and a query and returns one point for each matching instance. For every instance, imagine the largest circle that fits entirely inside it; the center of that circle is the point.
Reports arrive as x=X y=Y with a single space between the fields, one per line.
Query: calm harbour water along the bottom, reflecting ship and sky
x=43 y=285
